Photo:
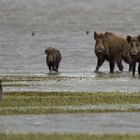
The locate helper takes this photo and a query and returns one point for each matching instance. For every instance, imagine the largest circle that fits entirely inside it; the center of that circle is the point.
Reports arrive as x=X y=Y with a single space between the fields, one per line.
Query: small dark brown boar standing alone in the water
x=53 y=59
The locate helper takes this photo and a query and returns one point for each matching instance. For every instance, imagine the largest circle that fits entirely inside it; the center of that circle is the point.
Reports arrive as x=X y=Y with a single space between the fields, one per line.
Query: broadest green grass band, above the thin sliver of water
x=67 y=98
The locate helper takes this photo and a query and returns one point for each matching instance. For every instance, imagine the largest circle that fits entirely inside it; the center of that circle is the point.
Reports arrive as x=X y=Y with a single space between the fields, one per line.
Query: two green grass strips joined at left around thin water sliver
x=37 y=102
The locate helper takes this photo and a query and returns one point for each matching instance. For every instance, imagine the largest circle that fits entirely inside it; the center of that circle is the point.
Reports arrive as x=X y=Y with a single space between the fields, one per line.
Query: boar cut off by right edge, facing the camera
x=134 y=51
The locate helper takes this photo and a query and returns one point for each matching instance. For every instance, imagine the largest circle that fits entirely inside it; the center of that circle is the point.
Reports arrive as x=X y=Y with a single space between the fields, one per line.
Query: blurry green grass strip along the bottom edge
x=67 y=137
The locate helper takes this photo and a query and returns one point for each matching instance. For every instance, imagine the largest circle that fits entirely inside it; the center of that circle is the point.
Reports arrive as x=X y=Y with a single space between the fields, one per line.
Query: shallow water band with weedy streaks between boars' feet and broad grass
x=72 y=82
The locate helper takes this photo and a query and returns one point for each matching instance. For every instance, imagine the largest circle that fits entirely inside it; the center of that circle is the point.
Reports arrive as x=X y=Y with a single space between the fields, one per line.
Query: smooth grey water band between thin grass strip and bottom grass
x=96 y=123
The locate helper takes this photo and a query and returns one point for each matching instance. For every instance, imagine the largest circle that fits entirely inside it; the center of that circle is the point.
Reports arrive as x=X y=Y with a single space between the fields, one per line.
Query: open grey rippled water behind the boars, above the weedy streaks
x=61 y=24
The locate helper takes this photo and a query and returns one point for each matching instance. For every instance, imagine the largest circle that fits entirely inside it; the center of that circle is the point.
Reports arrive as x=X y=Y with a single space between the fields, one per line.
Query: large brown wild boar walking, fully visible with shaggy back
x=113 y=48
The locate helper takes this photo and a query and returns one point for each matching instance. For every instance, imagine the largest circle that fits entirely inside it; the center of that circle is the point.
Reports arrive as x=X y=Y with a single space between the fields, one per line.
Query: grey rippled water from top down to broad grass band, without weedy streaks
x=63 y=24
